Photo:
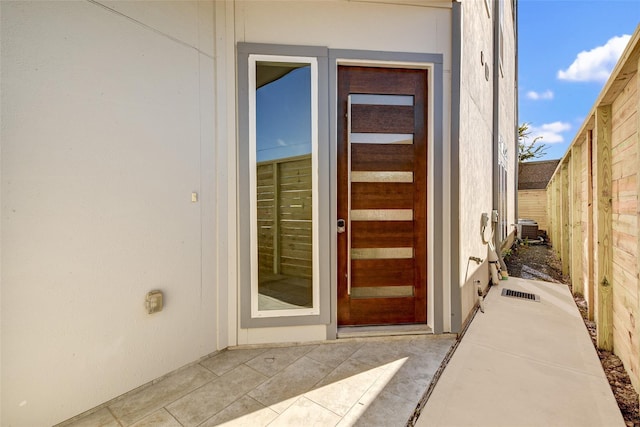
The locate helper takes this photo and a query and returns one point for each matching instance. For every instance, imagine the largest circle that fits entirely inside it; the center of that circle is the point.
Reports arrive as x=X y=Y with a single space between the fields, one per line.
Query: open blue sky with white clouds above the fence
x=567 y=49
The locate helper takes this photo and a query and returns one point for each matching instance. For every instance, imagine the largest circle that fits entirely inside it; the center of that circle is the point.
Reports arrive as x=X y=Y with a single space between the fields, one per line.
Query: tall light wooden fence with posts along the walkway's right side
x=594 y=216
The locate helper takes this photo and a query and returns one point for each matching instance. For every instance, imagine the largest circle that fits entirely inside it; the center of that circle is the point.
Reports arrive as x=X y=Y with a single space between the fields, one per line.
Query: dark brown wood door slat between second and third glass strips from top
x=382 y=157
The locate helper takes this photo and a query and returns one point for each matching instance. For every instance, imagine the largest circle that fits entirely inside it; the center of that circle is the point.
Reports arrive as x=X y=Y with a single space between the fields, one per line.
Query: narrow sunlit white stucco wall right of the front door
x=476 y=155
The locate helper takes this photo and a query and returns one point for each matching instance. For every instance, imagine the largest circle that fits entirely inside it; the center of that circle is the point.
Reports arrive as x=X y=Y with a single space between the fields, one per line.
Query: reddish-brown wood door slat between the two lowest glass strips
x=382 y=272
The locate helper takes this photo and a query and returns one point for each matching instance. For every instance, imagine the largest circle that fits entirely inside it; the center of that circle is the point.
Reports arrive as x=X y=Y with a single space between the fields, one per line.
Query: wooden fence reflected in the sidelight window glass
x=284 y=199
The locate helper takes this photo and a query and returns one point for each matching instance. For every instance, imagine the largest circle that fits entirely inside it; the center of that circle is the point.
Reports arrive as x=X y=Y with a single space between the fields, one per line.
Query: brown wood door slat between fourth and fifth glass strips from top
x=382 y=234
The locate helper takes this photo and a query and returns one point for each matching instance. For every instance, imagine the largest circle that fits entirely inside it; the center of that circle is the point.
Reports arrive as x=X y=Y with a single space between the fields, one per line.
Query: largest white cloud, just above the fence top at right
x=596 y=64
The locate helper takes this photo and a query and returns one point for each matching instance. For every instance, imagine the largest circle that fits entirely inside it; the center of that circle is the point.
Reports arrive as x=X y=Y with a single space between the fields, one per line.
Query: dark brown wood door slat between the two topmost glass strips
x=382 y=118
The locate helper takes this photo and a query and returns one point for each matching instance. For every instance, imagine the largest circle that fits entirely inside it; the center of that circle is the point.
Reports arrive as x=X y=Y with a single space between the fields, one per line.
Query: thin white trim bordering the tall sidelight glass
x=315 y=309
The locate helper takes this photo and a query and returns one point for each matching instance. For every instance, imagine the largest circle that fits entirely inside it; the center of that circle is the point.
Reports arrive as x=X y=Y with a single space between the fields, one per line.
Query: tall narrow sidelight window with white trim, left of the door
x=283 y=146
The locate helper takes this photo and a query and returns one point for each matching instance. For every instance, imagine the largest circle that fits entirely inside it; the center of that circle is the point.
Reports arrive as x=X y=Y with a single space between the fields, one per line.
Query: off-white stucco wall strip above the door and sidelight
x=341 y=24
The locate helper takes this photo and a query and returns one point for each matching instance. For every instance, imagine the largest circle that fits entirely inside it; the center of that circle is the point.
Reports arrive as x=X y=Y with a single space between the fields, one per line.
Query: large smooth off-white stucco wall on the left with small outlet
x=108 y=126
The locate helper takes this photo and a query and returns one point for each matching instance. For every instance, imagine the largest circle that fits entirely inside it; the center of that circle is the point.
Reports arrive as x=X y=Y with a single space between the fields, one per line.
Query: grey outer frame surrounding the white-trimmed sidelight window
x=322 y=203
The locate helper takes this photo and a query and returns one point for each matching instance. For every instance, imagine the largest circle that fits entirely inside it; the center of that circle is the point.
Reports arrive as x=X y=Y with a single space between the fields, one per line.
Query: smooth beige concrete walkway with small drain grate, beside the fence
x=524 y=363
